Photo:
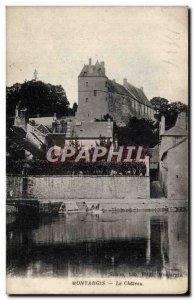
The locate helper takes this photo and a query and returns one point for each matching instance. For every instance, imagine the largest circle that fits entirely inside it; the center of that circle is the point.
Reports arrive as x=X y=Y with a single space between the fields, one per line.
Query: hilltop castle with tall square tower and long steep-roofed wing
x=98 y=96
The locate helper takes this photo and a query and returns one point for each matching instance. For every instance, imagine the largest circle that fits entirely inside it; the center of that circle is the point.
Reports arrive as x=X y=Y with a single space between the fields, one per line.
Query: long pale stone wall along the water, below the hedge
x=110 y=188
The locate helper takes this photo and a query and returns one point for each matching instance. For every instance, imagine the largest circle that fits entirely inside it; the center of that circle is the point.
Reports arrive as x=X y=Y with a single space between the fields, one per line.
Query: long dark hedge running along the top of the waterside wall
x=43 y=167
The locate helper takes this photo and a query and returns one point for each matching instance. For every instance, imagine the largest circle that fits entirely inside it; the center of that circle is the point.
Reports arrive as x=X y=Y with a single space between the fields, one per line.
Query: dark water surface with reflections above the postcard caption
x=111 y=244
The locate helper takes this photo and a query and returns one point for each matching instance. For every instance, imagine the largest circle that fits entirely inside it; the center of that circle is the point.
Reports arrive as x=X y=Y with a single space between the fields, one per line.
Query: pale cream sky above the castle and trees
x=146 y=45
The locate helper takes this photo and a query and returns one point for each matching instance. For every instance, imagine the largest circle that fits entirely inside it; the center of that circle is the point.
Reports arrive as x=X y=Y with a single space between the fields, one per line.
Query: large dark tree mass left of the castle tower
x=37 y=97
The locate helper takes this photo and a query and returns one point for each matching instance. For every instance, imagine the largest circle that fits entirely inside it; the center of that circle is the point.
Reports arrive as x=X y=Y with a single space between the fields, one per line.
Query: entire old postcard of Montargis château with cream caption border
x=97 y=150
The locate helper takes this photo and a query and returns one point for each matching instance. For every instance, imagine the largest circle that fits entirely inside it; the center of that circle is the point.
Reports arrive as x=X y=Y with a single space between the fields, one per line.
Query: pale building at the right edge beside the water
x=173 y=153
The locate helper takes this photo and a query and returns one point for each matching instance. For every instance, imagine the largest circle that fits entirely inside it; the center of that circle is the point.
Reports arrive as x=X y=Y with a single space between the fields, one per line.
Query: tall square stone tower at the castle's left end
x=92 y=92
